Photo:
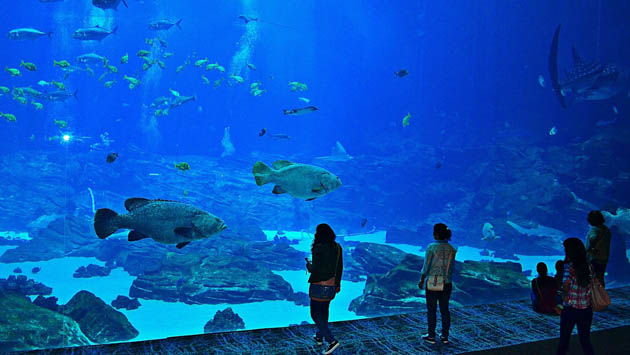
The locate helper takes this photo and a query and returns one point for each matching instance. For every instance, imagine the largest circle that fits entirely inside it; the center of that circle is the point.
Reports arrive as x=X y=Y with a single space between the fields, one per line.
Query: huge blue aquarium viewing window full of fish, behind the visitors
x=164 y=164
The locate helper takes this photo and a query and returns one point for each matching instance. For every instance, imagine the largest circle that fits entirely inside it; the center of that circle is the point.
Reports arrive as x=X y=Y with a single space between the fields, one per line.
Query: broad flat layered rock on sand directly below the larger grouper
x=200 y=279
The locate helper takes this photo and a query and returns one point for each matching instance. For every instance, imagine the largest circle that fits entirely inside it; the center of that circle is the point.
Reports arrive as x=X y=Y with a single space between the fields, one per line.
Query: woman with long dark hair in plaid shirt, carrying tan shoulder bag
x=577 y=297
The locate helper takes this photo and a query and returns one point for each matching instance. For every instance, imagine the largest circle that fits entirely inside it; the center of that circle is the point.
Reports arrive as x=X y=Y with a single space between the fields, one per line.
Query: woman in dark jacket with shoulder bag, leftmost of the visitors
x=326 y=270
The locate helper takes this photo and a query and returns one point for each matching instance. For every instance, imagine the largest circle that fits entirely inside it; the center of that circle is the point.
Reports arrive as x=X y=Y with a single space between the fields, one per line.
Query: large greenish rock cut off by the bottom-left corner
x=44 y=328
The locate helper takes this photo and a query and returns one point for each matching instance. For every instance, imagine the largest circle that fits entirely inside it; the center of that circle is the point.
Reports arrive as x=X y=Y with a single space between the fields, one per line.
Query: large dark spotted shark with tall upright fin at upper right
x=587 y=80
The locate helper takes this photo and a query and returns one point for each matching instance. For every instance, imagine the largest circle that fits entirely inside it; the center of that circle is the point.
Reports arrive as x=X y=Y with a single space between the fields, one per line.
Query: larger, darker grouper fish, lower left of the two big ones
x=164 y=221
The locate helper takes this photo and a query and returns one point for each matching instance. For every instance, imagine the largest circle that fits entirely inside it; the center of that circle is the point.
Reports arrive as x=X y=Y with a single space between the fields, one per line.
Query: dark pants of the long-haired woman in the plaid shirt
x=568 y=319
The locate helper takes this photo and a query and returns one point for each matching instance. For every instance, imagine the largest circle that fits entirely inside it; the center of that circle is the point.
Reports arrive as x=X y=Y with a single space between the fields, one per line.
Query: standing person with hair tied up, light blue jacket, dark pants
x=439 y=262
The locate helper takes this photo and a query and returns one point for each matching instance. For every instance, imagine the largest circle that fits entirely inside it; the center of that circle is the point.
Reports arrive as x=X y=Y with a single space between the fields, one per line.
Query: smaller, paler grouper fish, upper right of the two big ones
x=298 y=180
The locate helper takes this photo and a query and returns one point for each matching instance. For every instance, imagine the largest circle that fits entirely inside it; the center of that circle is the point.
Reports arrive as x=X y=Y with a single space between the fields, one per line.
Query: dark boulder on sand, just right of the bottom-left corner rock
x=99 y=322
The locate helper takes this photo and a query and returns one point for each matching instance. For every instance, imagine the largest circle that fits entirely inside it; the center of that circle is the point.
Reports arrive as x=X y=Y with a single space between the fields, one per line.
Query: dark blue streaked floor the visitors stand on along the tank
x=474 y=328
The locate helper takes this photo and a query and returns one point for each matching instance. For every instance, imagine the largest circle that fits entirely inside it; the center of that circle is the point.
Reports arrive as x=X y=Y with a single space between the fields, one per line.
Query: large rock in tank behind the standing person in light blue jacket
x=474 y=282
